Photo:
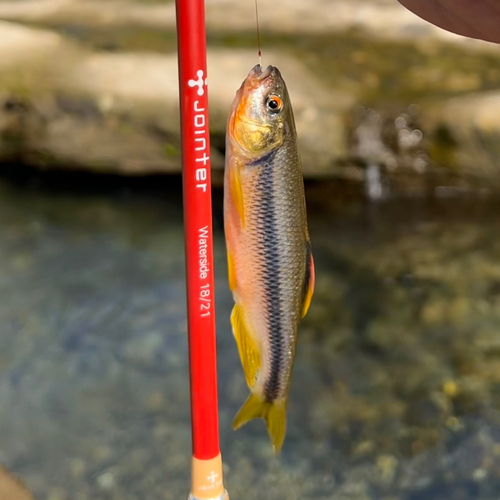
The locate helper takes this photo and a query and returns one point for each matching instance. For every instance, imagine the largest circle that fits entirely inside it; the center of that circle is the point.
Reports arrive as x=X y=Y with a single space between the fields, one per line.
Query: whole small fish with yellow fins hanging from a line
x=270 y=262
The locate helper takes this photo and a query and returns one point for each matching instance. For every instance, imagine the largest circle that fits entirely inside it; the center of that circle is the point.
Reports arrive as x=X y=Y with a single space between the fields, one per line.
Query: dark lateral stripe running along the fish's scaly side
x=272 y=289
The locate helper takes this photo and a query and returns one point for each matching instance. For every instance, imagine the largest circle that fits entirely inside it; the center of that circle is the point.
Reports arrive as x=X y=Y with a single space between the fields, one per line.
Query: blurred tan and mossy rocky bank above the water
x=93 y=85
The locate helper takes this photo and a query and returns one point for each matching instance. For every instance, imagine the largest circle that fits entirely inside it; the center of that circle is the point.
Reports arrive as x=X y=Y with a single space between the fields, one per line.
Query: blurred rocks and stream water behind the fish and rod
x=396 y=390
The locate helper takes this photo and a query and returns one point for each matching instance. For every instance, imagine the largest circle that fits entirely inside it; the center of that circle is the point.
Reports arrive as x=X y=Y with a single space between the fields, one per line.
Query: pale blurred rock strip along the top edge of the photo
x=380 y=19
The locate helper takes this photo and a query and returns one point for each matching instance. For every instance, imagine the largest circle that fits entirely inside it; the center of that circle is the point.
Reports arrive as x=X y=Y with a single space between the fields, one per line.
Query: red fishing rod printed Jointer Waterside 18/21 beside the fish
x=207 y=481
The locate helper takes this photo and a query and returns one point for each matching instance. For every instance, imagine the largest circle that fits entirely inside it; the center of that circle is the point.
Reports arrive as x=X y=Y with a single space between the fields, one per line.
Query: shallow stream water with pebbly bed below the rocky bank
x=396 y=389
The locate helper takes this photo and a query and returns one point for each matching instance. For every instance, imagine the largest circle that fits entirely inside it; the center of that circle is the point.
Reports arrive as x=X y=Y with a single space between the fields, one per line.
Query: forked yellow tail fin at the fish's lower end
x=273 y=413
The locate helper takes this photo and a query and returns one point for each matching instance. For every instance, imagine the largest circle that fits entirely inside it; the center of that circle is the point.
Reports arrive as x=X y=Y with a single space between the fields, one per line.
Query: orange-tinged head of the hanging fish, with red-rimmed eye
x=260 y=111
